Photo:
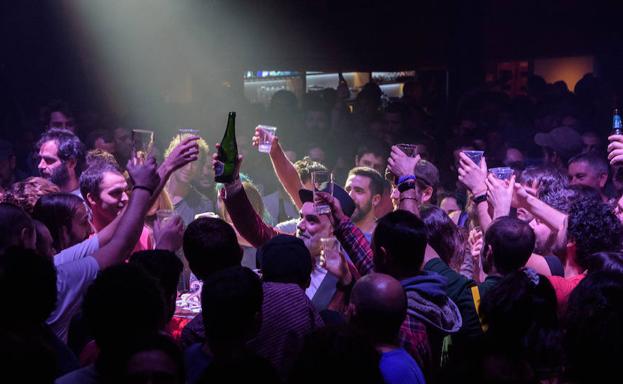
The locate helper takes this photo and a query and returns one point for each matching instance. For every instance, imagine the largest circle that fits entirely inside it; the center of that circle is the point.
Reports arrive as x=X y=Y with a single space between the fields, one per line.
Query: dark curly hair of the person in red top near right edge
x=594 y=228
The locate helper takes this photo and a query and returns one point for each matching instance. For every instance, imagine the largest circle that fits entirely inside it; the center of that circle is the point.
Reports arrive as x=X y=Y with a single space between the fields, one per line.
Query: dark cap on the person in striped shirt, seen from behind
x=284 y=259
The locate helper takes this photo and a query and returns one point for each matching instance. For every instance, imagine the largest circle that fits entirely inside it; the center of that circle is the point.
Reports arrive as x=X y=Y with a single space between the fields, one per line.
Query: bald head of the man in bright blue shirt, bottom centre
x=379 y=306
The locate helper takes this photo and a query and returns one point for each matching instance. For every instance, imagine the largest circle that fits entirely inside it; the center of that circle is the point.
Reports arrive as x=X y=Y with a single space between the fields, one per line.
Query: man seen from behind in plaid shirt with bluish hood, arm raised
x=399 y=244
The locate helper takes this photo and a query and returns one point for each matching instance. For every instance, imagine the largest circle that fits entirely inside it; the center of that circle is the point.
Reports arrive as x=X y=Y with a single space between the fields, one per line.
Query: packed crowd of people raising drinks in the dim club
x=427 y=265
